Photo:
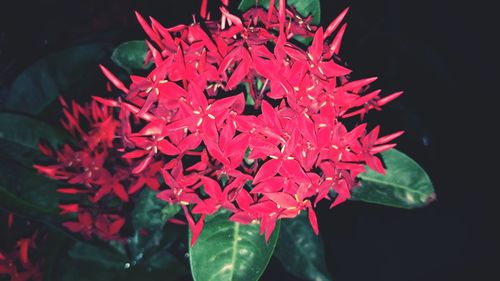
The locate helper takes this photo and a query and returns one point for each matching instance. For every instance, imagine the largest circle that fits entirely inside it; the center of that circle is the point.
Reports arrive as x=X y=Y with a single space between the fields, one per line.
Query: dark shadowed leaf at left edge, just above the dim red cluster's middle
x=28 y=132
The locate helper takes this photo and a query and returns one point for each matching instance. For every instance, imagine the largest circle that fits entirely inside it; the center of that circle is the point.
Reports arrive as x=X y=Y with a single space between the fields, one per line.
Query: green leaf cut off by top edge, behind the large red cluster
x=303 y=7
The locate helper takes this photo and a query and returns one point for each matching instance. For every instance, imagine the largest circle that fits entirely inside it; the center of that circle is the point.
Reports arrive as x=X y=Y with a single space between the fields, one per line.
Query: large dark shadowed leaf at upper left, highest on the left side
x=41 y=83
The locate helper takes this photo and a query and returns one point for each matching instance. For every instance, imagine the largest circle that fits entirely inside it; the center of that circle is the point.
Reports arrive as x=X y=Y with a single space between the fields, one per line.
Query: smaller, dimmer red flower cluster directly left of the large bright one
x=94 y=170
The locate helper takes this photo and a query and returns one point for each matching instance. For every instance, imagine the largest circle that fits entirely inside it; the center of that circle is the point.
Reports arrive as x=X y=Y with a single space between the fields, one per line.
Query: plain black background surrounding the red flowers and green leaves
x=440 y=52
